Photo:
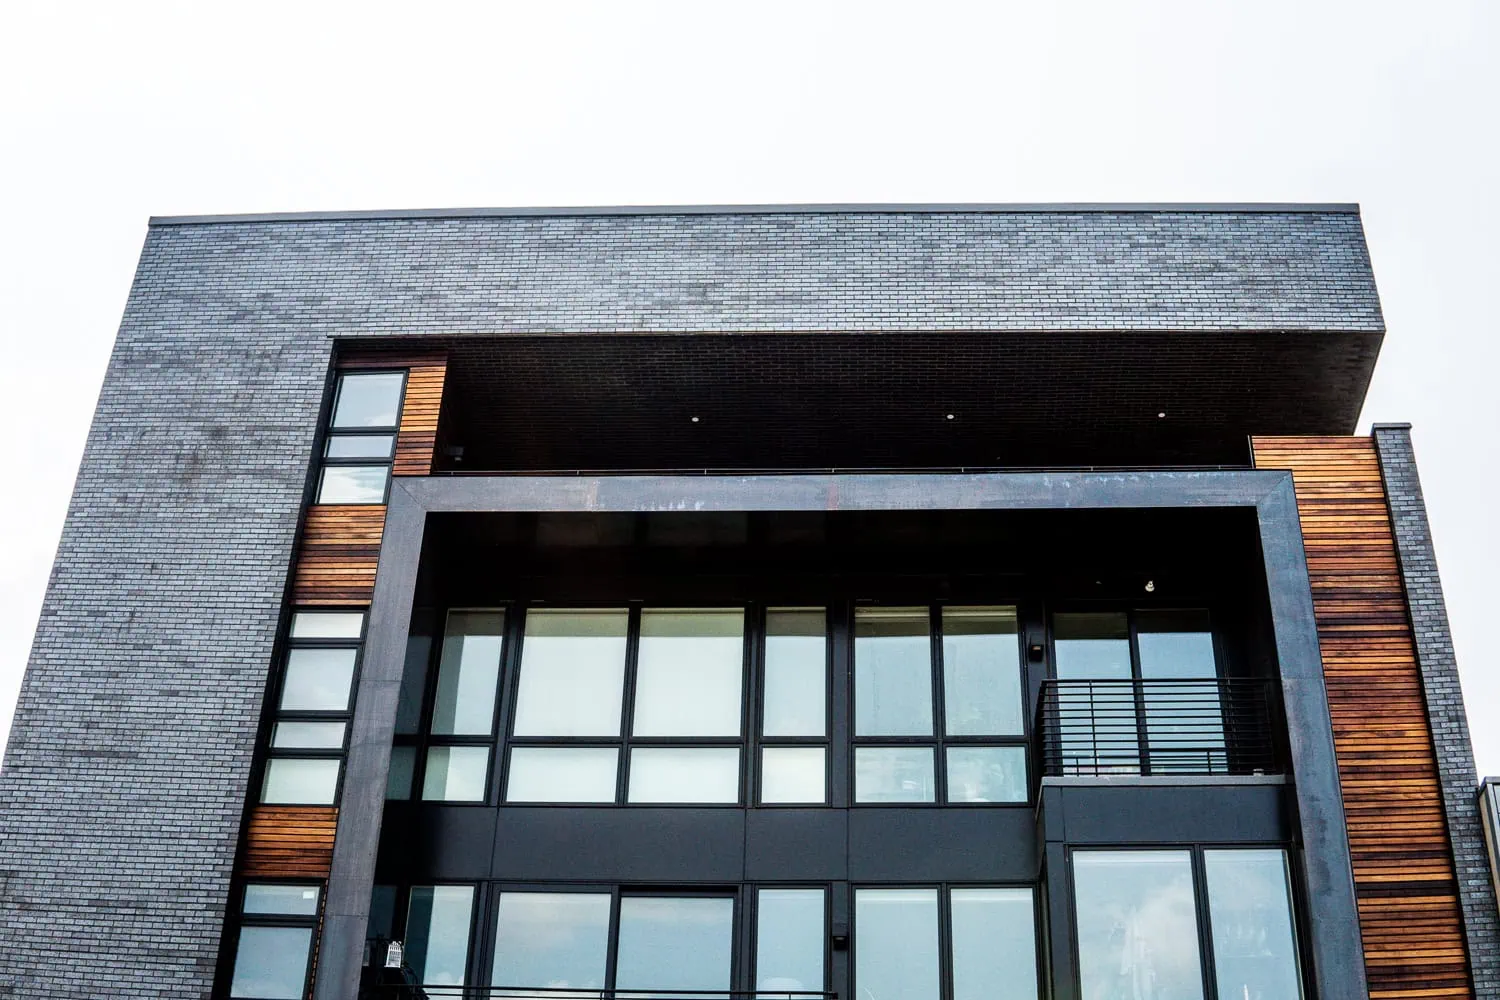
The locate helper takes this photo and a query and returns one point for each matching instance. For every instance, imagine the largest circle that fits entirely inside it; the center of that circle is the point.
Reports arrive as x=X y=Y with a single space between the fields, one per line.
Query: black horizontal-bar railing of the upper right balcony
x=1225 y=726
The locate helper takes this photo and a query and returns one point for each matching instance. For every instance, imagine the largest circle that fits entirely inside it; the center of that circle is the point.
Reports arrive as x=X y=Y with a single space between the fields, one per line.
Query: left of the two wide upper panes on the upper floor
x=572 y=674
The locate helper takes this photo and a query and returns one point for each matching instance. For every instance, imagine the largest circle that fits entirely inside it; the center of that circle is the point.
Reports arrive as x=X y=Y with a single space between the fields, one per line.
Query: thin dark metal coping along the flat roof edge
x=895 y=209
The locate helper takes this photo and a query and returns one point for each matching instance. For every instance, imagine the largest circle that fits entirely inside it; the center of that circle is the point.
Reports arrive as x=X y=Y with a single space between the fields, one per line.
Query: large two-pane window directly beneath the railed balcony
x=1141 y=927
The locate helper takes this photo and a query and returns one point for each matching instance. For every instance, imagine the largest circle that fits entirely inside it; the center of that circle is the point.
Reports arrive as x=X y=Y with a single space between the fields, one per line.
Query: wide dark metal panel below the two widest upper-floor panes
x=676 y=845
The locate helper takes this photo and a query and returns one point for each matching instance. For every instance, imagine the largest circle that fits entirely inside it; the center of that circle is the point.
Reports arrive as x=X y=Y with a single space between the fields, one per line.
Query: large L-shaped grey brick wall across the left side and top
x=127 y=773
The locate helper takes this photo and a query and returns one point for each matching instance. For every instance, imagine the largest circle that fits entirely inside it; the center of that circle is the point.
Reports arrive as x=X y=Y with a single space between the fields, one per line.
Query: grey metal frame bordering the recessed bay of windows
x=1339 y=968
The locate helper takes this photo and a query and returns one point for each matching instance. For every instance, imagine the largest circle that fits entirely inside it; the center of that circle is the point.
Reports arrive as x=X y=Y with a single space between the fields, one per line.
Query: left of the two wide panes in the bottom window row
x=551 y=941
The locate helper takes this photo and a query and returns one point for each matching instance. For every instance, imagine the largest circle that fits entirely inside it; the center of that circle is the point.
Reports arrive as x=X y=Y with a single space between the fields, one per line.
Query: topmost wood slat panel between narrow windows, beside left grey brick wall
x=338 y=555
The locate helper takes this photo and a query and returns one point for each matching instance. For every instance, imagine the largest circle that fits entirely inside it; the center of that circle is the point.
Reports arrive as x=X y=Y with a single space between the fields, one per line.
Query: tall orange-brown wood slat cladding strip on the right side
x=1405 y=879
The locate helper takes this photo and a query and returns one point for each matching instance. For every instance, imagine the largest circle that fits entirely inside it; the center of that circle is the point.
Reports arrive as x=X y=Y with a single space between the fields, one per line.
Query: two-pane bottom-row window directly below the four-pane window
x=989 y=942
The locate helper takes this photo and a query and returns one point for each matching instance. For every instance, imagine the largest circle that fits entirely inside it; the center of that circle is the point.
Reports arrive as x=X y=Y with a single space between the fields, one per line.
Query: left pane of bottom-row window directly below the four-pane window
x=896 y=944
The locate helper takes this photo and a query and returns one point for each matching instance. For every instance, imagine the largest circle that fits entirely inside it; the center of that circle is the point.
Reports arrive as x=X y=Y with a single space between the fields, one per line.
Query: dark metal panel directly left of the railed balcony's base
x=932 y=845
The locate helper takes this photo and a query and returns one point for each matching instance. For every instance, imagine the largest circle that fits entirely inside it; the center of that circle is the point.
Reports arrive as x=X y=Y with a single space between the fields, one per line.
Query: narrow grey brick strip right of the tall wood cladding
x=1445 y=702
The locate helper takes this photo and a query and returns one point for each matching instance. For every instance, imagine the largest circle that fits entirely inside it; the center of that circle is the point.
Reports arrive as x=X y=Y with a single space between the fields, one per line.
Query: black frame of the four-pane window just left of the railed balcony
x=940 y=741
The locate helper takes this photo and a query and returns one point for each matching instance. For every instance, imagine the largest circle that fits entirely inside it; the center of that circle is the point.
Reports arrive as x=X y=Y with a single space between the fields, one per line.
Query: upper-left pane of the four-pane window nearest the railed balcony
x=893 y=690
